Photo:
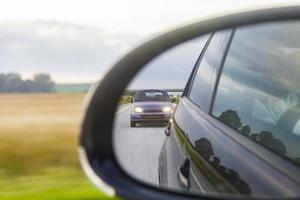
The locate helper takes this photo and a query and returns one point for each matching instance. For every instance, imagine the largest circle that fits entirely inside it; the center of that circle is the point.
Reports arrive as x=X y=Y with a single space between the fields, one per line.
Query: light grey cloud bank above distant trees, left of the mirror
x=59 y=48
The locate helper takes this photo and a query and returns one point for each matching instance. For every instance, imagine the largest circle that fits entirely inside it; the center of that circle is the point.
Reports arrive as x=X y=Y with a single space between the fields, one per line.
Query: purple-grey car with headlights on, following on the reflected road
x=150 y=106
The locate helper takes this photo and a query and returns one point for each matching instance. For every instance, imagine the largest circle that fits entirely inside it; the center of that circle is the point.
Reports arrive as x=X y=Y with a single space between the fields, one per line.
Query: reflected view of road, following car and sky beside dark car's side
x=146 y=107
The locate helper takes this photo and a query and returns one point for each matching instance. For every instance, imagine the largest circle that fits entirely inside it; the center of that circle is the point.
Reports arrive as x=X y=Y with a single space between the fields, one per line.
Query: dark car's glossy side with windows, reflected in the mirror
x=244 y=142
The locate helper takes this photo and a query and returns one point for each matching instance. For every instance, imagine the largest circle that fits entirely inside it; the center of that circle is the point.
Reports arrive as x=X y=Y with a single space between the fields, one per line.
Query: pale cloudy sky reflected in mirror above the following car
x=172 y=68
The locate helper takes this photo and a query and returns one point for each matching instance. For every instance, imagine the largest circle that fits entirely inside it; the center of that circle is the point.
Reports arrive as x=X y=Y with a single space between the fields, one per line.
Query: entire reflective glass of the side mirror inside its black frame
x=219 y=114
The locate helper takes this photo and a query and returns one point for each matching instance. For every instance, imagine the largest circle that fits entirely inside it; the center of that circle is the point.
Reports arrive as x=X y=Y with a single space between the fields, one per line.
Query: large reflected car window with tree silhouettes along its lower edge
x=259 y=89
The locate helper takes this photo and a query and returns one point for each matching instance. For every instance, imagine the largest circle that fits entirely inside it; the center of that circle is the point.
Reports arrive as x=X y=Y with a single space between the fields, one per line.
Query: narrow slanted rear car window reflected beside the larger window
x=205 y=77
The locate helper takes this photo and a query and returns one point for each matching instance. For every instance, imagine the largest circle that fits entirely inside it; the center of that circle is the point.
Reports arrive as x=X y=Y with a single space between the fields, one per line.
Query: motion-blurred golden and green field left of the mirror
x=38 y=141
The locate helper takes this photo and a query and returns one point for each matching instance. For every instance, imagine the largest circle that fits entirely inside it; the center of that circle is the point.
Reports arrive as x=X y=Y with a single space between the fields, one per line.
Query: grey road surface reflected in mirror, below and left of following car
x=137 y=149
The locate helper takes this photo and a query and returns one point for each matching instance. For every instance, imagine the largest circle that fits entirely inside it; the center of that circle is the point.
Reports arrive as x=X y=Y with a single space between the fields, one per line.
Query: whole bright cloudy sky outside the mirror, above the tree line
x=78 y=41
